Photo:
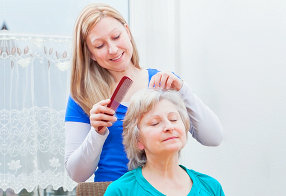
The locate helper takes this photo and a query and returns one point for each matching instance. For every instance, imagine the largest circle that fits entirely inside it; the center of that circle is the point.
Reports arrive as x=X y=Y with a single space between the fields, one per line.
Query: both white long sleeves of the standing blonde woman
x=83 y=144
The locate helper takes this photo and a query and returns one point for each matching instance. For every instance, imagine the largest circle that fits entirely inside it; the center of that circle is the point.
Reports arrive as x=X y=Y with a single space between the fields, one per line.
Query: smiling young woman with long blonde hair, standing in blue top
x=103 y=52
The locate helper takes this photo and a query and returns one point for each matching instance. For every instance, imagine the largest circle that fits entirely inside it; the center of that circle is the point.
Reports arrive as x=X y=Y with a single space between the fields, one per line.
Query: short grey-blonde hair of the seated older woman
x=142 y=102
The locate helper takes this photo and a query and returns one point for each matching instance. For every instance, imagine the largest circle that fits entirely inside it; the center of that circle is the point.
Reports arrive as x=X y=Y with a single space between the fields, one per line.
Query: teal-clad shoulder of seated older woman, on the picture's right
x=208 y=183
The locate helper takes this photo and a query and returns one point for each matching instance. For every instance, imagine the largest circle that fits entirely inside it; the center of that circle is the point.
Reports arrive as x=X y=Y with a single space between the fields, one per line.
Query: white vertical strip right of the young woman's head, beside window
x=154 y=32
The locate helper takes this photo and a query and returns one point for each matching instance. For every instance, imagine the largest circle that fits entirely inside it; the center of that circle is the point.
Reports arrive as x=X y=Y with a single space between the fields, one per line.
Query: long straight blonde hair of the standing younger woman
x=90 y=82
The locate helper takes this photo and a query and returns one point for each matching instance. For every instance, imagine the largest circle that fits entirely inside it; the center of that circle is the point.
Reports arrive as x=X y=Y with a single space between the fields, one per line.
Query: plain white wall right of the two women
x=232 y=53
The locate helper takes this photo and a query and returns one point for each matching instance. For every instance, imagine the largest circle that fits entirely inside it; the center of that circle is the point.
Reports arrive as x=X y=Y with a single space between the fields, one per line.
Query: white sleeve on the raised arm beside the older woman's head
x=205 y=125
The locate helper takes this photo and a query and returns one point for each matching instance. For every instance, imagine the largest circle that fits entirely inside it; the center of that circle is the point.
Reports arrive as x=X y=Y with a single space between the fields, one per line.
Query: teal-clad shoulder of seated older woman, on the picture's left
x=123 y=185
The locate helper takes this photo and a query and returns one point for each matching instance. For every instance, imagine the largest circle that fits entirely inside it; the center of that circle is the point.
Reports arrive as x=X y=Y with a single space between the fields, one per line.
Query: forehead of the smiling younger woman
x=105 y=26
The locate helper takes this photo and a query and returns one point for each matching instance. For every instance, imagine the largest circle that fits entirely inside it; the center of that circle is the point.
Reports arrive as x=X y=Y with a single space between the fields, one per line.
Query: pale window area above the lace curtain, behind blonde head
x=48 y=17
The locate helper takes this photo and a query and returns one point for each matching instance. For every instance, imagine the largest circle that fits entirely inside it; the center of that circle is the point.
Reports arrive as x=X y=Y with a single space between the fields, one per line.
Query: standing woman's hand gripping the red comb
x=101 y=116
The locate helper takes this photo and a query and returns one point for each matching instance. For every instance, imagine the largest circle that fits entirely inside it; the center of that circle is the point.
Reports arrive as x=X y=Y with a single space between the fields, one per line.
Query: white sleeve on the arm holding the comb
x=83 y=147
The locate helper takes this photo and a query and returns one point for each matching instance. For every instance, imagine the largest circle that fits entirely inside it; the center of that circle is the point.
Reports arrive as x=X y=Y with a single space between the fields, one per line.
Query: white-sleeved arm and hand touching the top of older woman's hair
x=205 y=125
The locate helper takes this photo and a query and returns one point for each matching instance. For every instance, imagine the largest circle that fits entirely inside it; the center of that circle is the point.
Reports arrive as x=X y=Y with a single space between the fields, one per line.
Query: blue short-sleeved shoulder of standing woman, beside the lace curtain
x=75 y=113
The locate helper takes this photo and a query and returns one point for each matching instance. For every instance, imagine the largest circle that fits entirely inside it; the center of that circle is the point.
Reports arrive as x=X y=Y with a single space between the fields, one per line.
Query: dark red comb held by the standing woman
x=119 y=93
